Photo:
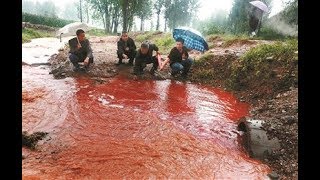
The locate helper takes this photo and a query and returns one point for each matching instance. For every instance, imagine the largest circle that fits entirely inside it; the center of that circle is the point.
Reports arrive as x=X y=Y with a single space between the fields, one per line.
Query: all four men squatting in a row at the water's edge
x=178 y=58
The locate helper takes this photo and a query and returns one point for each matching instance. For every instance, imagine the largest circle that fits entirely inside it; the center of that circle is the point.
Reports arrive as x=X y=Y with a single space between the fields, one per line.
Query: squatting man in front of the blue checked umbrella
x=179 y=59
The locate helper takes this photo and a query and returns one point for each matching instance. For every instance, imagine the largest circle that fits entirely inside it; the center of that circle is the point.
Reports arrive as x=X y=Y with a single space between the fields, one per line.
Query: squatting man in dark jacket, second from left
x=126 y=49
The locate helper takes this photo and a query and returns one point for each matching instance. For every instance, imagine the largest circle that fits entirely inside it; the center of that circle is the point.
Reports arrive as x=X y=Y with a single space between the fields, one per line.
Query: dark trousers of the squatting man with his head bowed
x=141 y=63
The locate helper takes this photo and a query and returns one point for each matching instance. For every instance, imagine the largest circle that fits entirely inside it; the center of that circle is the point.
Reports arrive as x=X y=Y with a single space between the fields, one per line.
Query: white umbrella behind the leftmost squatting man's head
x=70 y=29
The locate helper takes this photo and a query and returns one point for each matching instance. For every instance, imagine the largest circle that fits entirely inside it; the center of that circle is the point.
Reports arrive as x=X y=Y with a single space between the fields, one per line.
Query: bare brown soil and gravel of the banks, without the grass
x=277 y=107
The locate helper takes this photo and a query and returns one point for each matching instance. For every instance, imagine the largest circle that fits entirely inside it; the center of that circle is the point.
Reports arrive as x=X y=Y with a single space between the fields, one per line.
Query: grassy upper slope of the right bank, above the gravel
x=265 y=69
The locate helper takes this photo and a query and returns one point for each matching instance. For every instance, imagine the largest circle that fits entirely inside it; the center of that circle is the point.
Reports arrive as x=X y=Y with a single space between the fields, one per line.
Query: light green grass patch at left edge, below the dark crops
x=29 y=33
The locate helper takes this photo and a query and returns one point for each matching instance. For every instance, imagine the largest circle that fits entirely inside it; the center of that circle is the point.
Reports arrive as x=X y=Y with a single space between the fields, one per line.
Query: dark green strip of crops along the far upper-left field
x=48 y=21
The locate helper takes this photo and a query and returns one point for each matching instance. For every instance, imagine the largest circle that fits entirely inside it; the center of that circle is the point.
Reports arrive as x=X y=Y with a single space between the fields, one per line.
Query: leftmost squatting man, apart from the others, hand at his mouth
x=80 y=50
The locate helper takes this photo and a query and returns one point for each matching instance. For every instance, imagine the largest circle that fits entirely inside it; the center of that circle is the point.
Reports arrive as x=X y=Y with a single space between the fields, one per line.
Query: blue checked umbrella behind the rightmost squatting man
x=192 y=38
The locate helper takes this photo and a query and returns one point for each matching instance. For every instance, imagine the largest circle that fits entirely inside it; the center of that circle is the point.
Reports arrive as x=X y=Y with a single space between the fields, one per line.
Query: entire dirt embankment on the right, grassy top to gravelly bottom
x=269 y=84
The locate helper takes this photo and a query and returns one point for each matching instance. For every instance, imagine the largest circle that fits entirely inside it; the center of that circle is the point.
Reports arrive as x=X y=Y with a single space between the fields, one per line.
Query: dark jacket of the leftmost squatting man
x=84 y=51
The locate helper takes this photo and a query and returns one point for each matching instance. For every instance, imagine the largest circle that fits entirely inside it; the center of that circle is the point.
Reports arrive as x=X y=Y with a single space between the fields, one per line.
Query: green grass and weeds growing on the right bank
x=265 y=63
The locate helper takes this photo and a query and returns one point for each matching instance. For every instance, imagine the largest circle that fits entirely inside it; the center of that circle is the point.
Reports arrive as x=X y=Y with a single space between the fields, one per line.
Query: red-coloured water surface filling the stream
x=125 y=129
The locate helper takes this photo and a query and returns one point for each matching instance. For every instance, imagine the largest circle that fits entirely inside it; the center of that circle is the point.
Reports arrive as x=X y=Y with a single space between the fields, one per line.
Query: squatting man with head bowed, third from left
x=144 y=57
